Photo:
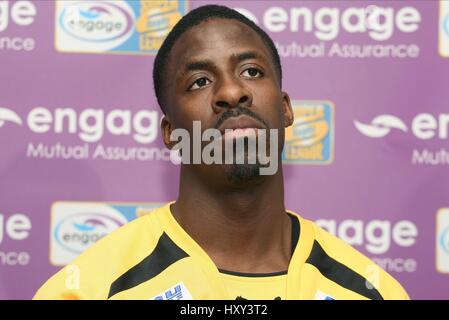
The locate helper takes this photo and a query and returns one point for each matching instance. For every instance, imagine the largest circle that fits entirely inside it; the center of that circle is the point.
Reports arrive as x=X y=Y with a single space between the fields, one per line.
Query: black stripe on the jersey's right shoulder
x=341 y=274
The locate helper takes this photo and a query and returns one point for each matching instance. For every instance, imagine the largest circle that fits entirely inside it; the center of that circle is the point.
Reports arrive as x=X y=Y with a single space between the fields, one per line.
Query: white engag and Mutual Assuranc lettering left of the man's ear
x=90 y=126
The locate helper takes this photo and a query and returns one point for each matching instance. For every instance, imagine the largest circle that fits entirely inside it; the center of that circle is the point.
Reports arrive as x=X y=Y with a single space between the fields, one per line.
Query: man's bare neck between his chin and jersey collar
x=241 y=229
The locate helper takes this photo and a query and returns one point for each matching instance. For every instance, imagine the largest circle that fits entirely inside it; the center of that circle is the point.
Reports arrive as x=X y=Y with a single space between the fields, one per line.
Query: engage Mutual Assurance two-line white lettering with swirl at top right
x=318 y=31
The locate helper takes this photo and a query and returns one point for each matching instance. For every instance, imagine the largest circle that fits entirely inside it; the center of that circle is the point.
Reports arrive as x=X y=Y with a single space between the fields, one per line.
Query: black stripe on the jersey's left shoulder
x=165 y=254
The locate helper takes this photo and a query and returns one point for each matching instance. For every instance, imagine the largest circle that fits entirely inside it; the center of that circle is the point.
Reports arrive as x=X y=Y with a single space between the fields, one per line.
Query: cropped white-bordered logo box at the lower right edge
x=442 y=241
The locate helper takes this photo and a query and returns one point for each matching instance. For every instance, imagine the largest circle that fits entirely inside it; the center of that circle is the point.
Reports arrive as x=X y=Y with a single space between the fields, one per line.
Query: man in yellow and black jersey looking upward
x=228 y=235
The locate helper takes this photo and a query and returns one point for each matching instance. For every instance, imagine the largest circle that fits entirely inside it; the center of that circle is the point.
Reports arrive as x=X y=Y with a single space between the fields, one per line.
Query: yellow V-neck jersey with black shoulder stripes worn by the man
x=152 y=257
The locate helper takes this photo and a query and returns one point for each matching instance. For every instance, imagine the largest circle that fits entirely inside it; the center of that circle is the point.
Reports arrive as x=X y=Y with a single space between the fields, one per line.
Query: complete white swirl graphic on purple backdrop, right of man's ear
x=380 y=126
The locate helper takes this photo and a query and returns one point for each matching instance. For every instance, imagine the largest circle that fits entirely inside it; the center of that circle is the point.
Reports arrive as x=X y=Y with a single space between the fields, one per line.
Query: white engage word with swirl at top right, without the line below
x=326 y=23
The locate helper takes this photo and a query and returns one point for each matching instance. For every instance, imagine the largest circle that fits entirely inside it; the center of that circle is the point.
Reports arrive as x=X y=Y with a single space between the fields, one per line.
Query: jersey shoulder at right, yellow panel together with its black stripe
x=343 y=264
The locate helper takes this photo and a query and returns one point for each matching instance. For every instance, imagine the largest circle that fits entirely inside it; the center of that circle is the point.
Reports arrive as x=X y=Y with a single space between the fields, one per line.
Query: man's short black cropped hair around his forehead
x=194 y=18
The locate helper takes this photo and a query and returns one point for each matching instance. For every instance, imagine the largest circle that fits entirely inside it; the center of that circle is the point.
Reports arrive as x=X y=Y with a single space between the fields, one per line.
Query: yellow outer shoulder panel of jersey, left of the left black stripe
x=106 y=260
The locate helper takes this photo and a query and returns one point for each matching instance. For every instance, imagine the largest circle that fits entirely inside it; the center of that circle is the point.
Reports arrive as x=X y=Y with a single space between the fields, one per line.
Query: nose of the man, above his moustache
x=231 y=93
